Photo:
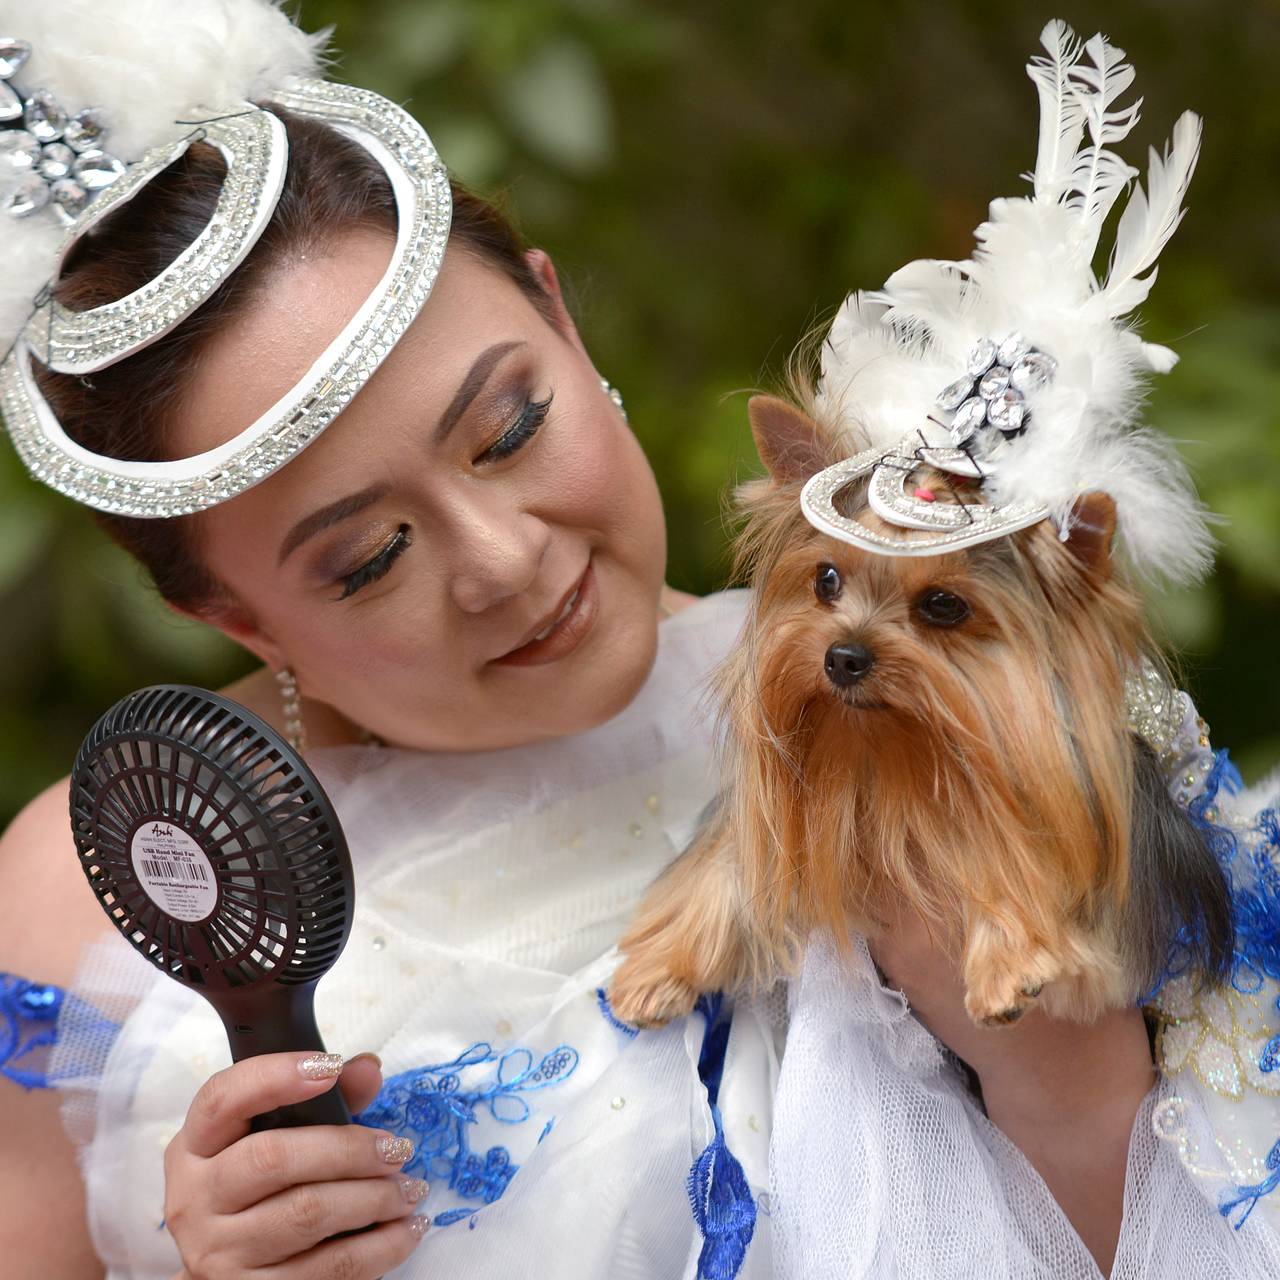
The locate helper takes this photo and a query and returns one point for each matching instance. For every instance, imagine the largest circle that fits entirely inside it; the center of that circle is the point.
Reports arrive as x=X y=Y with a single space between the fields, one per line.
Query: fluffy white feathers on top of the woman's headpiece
x=145 y=65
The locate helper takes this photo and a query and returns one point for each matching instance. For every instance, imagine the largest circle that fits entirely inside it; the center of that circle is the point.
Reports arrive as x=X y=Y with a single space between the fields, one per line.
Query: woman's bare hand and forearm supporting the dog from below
x=1064 y=1094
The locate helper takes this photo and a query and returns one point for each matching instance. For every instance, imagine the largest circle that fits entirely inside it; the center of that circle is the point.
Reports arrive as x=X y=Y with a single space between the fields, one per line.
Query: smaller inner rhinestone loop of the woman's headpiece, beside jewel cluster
x=255 y=148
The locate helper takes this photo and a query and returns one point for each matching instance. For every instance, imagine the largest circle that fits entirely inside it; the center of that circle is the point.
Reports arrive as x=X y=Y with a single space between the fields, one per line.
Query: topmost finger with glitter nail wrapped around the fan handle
x=227 y=1103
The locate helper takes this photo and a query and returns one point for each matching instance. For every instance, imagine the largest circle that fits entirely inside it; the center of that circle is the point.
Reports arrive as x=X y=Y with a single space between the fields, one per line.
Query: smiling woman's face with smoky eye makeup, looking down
x=479 y=491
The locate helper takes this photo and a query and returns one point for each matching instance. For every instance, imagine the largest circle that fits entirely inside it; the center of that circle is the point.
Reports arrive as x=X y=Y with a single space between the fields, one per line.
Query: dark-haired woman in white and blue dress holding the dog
x=459 y=591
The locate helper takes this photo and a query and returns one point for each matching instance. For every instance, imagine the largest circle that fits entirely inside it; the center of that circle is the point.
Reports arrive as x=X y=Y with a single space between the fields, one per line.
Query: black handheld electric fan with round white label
x=216 y=852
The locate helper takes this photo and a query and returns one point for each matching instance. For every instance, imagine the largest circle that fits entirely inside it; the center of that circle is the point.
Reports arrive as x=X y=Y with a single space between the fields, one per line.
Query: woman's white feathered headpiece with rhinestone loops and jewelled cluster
x=99 y=98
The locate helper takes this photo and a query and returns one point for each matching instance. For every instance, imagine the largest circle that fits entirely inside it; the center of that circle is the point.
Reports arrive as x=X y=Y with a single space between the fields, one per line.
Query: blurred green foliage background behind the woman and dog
x=712 y=179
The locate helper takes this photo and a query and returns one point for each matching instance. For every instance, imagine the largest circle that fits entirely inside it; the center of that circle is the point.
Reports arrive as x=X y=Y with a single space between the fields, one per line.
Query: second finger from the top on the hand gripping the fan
x=264 y=1164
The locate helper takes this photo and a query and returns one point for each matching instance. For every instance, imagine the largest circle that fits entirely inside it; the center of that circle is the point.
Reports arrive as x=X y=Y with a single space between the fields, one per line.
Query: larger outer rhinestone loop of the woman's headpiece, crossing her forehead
x=188 y=486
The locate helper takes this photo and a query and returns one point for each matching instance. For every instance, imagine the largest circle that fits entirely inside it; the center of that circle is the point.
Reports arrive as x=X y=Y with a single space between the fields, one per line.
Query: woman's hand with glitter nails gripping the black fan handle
x=267 y=1205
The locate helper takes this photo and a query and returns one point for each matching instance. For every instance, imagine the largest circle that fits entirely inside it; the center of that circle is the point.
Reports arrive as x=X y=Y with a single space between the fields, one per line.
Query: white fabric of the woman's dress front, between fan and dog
x=491 y=892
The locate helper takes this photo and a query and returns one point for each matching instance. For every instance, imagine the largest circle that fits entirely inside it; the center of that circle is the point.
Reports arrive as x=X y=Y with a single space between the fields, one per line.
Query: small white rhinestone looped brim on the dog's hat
x=936 y=527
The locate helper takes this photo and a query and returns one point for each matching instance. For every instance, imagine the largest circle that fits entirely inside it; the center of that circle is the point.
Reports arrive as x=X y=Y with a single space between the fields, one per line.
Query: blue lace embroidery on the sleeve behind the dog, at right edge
x=1252 y=872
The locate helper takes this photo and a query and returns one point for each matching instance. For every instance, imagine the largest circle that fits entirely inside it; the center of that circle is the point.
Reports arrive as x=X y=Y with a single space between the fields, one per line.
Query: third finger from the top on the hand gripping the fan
x=301 y=1218
